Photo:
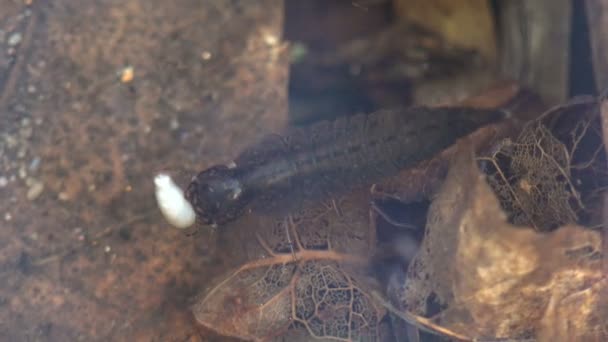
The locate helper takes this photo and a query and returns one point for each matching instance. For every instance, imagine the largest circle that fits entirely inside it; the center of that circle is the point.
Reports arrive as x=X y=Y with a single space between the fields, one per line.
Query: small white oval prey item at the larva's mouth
x=172 y=203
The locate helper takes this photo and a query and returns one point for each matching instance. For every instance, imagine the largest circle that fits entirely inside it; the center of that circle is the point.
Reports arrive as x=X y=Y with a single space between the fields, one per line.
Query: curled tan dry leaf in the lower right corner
x=496 y=280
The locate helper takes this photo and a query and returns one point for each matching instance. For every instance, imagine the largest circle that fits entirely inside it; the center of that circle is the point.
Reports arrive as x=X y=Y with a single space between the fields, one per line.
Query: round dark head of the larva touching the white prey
x=217 y=195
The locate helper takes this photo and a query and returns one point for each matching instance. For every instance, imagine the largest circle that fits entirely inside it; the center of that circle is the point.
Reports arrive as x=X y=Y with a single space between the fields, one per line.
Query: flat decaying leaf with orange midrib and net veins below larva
x=304 y=273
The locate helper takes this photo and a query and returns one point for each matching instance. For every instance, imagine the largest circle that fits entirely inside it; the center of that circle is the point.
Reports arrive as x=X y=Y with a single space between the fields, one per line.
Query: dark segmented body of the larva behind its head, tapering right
x=334 y=156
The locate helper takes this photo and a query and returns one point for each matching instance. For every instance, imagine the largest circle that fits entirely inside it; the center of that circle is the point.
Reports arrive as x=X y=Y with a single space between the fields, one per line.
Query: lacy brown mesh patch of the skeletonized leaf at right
x=538 y=191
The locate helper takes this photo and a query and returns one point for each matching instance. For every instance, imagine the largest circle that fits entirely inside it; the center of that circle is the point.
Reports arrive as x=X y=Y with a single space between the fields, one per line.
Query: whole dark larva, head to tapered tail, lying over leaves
x=330 y=157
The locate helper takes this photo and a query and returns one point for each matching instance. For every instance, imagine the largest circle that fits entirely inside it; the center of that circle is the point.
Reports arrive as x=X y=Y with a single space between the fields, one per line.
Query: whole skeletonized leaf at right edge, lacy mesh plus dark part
x=550 y=174
